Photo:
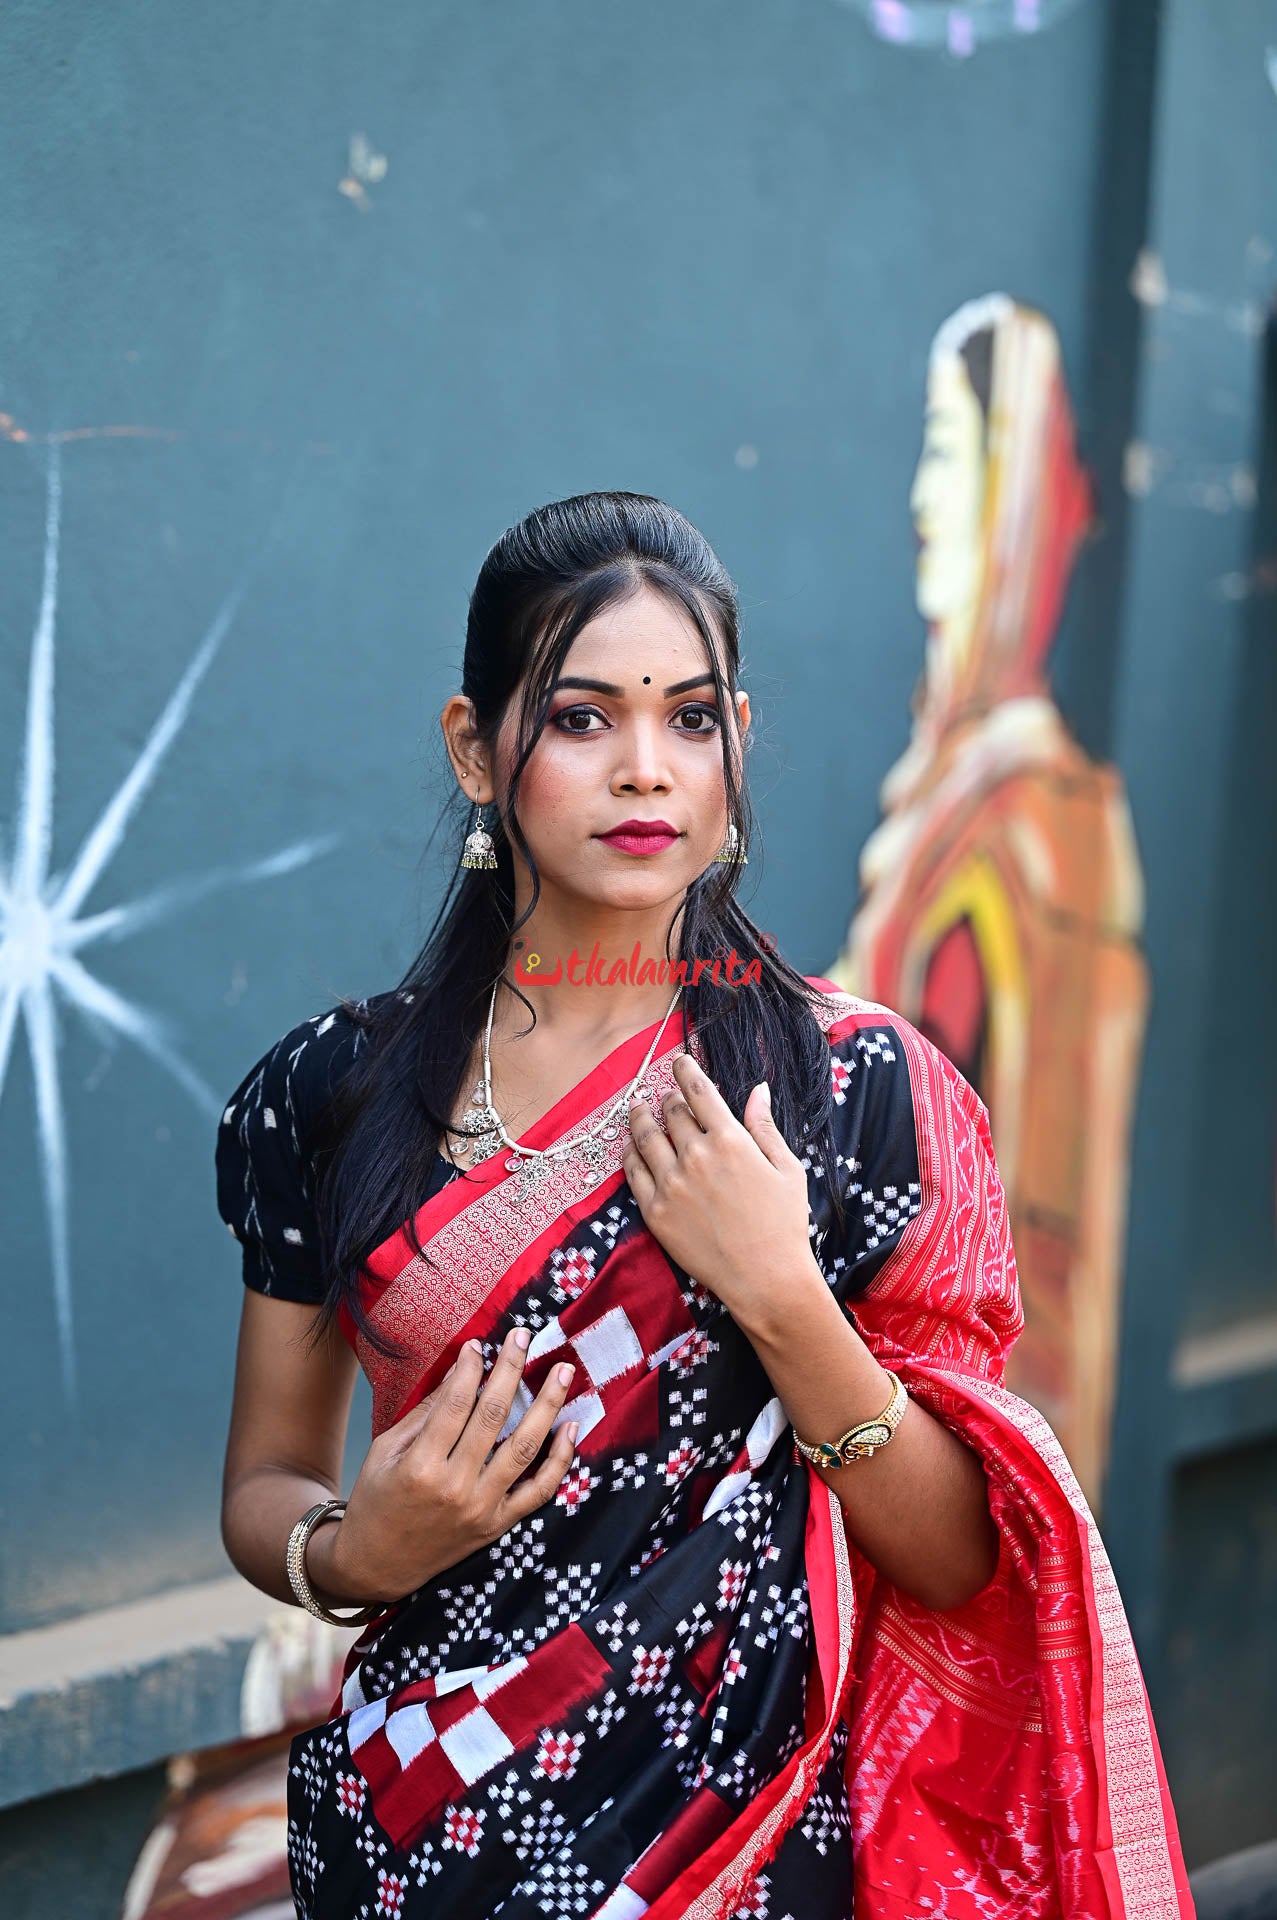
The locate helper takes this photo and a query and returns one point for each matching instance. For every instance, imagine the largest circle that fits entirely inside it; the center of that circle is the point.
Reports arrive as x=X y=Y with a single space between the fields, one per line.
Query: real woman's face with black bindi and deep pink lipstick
x=642 y=744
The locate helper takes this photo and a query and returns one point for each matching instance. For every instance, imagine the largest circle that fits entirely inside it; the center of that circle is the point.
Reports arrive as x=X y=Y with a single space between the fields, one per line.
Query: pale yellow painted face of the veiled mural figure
x=948 y=496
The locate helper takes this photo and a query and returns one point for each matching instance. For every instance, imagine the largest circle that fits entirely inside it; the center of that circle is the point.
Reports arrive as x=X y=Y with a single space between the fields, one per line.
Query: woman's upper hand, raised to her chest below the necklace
x=725 y=1197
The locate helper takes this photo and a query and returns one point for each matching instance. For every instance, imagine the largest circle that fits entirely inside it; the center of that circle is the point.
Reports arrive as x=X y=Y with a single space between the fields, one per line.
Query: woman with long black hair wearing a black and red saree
x=631 y=1650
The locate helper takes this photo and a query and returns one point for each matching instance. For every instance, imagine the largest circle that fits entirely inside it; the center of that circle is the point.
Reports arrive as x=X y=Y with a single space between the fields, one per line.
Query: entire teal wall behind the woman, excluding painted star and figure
x=612 y=249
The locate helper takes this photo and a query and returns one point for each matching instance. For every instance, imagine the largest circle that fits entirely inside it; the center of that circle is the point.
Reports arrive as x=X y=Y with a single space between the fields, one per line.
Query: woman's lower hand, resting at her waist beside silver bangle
x=427 y=1495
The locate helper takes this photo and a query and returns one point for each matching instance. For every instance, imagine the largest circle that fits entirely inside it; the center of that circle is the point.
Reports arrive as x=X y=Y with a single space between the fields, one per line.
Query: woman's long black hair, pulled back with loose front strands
x=542 y=583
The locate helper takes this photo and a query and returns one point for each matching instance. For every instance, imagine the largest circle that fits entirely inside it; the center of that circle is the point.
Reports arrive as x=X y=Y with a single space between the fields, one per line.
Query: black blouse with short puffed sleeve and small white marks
x=266 y=1145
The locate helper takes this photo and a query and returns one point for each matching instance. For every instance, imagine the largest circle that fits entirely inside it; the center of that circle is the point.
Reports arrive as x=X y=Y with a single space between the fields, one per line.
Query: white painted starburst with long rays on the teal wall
x=41 y=926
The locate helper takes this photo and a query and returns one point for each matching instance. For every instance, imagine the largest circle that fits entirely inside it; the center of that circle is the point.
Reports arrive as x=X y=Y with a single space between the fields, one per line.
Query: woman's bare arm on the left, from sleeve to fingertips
x=433 y=1489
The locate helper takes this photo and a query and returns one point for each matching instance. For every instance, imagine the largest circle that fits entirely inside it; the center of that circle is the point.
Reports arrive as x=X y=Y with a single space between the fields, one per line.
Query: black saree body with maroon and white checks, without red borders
x=573 y=1717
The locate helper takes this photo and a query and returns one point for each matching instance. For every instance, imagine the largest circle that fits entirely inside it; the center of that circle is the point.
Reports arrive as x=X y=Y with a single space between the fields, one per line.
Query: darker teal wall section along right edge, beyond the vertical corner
x=1192 y=1512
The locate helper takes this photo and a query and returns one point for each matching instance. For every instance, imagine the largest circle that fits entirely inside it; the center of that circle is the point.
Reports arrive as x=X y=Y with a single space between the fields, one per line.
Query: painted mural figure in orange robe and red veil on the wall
x=1001 y=894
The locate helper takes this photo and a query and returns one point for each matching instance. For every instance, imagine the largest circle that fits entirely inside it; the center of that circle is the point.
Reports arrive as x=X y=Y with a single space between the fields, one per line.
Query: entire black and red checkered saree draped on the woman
x=677 y=1689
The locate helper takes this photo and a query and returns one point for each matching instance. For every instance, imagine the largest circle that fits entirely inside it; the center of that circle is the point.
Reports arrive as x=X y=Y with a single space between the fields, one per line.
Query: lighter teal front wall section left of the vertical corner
x=589 y=266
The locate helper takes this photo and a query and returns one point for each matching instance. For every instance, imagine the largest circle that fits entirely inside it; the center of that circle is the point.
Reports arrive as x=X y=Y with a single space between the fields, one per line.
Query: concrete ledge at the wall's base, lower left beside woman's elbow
x=128 y=1687
